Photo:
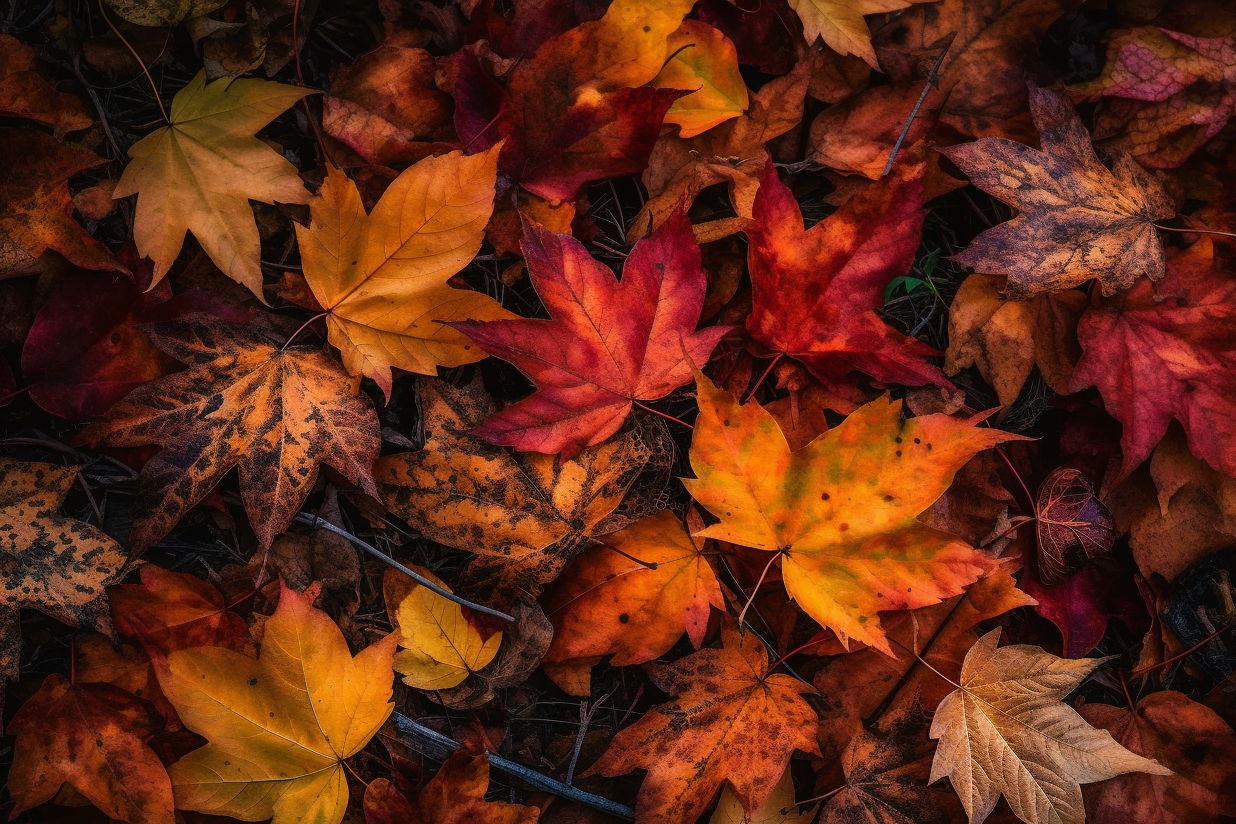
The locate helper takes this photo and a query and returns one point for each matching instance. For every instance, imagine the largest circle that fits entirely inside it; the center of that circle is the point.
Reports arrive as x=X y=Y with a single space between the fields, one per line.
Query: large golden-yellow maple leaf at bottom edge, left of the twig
x=279 y=728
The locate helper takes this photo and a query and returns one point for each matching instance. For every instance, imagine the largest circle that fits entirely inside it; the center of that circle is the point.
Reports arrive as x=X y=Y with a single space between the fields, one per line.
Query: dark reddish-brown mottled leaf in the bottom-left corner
x=91 y=737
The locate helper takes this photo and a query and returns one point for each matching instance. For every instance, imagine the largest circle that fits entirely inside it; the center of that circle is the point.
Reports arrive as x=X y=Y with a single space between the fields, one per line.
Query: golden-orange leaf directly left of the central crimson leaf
x=383 y=277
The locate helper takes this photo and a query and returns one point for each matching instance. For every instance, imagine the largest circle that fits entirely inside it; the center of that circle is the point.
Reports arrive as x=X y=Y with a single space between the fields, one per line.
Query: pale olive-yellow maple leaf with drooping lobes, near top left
x=200 y=172
